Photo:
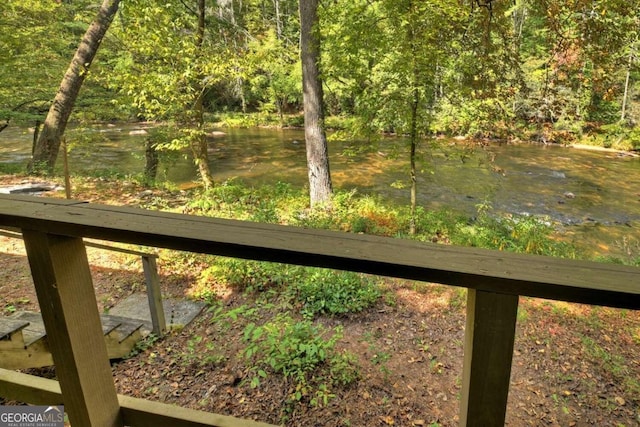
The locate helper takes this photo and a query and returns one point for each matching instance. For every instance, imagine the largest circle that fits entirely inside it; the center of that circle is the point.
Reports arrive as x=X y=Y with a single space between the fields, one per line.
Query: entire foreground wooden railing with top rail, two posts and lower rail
x=53 y=232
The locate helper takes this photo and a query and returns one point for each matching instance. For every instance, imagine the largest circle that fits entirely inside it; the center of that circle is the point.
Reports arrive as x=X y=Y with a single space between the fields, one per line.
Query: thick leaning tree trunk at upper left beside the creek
x=48 y=144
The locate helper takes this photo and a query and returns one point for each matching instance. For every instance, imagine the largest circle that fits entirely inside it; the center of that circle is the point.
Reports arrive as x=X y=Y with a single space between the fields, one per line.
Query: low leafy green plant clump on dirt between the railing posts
x=301 y=352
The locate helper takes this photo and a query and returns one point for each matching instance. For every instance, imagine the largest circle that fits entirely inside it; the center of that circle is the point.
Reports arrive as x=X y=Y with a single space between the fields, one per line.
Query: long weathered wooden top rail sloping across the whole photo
x=494 y=271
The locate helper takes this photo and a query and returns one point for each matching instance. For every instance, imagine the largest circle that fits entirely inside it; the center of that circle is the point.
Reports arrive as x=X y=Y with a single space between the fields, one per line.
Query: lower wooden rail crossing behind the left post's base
x=135 y=412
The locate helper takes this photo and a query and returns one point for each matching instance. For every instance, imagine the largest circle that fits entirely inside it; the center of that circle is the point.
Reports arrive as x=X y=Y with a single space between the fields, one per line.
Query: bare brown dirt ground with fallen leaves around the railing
x=573 y=365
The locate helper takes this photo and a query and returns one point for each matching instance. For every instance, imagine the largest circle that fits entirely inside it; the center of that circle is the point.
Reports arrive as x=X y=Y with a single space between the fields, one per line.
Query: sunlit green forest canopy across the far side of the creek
x=545 y=70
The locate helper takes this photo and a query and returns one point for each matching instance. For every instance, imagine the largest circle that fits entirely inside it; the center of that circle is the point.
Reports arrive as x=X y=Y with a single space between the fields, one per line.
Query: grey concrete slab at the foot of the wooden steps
x=178 y=312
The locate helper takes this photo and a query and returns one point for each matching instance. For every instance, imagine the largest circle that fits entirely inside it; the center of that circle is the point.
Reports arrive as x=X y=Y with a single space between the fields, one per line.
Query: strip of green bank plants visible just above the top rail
x=358 y=213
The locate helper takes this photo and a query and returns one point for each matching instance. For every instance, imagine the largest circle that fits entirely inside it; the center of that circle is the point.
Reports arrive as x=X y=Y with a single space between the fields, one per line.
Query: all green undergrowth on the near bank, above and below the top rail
x=282 y=334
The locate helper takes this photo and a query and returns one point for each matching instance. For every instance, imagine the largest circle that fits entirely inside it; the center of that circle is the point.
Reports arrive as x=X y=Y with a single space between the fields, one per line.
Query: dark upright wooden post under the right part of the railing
x=488 y=351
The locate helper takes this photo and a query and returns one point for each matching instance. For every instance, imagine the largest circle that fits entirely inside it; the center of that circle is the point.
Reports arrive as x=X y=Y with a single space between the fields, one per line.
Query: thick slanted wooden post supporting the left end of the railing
x=62 y=279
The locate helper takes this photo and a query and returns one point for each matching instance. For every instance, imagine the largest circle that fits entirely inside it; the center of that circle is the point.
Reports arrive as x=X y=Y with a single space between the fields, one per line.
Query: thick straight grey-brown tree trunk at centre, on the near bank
x=320 y=188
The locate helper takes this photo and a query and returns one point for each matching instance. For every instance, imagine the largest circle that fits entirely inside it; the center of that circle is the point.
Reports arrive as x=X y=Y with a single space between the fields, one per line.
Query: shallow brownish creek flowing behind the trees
x=593 y=196
